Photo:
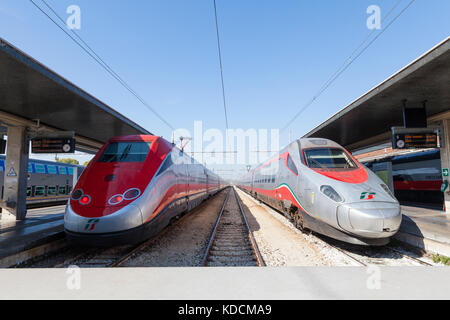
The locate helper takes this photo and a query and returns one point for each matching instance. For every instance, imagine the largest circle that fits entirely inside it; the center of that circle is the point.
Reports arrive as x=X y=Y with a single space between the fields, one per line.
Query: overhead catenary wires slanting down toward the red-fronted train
x=98 y=59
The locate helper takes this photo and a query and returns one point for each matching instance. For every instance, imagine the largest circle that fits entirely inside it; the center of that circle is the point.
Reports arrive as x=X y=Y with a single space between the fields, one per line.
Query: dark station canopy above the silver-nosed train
x=368 y=120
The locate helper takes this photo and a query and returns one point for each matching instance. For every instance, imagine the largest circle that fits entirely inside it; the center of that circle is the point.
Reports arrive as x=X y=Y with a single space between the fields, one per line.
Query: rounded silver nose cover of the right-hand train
x=371 y=219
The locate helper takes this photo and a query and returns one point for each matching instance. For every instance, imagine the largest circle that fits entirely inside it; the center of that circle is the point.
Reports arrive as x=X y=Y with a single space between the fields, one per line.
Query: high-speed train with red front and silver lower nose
x=133 y=188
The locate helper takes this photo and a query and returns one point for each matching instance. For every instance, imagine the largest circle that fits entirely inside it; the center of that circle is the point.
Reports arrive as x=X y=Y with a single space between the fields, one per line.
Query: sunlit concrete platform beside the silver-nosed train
x=426 y=229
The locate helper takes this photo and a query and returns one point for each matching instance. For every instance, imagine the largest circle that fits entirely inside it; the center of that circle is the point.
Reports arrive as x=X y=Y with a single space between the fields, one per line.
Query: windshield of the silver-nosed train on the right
x=328 y=158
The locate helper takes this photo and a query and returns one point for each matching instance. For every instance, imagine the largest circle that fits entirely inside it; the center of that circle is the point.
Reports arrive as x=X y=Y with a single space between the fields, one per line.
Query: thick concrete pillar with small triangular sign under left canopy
x=16 y=171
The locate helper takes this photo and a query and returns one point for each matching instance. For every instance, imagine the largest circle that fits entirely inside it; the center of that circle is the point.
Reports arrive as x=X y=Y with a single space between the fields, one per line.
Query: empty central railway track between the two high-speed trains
x=231 y=242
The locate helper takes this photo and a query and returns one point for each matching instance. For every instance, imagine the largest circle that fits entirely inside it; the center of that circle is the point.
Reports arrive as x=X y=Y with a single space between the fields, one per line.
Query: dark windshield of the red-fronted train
x=125 y=152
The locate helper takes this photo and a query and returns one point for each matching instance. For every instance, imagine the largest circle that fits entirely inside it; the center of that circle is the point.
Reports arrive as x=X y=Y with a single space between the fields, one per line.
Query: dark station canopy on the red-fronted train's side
x=30 y=91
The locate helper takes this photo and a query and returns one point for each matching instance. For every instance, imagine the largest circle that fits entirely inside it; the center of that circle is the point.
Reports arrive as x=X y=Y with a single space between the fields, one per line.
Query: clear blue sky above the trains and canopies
x=276 y=55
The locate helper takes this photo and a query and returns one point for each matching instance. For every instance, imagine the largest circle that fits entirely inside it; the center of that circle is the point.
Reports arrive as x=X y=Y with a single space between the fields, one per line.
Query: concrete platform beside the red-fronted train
x=20 y=240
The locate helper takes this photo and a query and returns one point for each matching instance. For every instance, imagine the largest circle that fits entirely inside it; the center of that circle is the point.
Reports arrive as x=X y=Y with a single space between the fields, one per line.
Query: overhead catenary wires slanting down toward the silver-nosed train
x=348 y=62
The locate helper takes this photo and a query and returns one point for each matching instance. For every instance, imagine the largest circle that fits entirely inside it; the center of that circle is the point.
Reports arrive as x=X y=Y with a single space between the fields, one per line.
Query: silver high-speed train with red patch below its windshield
x=322 y=187
